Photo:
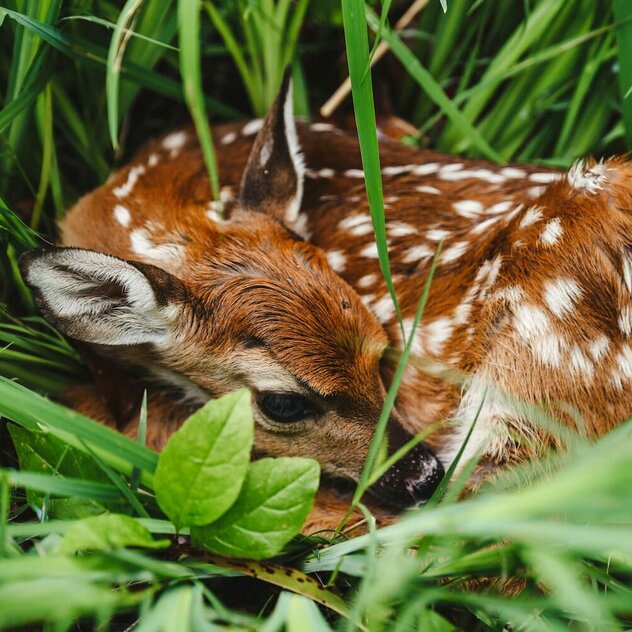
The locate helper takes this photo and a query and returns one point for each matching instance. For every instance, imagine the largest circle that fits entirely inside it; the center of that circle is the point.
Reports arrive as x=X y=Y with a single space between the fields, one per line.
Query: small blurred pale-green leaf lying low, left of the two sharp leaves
x=108 y=532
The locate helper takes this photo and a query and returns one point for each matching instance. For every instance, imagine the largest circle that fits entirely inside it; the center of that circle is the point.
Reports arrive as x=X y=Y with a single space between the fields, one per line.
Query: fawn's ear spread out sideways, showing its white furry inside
x=100 y=299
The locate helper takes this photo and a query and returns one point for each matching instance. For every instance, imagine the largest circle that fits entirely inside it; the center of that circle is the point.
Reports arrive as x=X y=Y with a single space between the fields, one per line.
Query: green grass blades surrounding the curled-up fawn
x=542 y=81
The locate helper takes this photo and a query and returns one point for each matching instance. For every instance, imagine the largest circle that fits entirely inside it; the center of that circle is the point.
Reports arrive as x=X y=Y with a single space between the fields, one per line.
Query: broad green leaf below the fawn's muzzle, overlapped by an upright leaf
x=274 y=502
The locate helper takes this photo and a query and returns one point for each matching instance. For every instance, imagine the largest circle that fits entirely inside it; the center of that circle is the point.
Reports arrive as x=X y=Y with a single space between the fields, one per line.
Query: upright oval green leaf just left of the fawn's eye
x=203 y=466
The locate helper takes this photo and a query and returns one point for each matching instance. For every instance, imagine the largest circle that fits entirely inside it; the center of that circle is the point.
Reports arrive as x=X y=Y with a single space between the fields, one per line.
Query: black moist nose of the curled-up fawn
x=412 y=480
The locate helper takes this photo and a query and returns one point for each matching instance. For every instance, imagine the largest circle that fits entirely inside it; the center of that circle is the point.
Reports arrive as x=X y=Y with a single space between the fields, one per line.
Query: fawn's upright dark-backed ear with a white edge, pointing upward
x=273 y=180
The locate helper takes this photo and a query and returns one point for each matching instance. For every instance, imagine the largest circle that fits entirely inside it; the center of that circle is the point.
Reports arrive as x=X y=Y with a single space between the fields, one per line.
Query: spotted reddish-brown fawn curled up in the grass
x=282 y=293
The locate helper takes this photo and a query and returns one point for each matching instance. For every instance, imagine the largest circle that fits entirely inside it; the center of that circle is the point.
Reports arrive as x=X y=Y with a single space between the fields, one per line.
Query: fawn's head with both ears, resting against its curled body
x=250 y=304
